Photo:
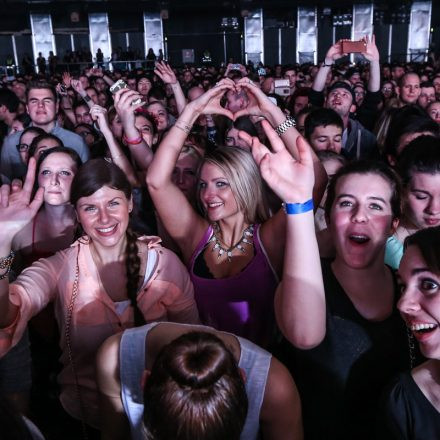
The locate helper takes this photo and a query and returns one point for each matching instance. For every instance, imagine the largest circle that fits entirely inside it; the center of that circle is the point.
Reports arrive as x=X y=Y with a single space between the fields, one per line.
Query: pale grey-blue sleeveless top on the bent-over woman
x=253 y=360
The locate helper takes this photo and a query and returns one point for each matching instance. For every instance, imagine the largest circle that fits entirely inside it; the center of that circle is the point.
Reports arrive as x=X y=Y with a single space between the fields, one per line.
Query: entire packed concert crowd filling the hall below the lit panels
x=200 y=253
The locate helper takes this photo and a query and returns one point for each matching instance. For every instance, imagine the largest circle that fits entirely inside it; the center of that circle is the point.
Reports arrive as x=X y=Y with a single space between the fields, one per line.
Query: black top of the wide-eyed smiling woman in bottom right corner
x=406 y=414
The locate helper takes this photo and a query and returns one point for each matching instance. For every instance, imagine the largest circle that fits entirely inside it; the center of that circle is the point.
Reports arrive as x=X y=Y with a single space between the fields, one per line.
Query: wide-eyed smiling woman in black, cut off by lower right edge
x=410 y=407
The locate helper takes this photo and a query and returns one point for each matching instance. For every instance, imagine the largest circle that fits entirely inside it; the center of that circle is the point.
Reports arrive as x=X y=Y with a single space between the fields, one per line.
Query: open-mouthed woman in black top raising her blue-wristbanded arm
x=347 y=337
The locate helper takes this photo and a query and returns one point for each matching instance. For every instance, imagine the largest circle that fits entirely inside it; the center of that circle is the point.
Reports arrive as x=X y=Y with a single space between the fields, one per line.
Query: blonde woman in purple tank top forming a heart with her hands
x=234 y=251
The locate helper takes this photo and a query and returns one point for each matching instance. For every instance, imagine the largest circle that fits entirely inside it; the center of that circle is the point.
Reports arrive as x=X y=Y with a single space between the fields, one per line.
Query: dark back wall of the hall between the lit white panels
x=195 y=24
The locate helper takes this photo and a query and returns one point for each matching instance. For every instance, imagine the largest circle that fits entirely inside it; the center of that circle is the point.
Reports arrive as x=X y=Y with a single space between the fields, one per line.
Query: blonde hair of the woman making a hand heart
x=245 y=180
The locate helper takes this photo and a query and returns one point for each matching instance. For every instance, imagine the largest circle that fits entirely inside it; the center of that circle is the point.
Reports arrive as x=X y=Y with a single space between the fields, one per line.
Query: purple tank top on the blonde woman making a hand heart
x=242 y=304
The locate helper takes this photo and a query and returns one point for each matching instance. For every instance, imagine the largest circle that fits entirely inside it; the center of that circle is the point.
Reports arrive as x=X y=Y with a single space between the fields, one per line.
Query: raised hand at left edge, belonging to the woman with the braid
x=17 y=208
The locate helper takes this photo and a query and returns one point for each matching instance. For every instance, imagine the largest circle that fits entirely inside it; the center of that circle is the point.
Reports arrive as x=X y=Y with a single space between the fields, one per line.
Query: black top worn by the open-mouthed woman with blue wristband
x=341 y=379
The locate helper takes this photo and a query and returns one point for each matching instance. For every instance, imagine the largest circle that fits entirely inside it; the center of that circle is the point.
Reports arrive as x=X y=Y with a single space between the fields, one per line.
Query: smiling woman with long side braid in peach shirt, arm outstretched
x=107 y=281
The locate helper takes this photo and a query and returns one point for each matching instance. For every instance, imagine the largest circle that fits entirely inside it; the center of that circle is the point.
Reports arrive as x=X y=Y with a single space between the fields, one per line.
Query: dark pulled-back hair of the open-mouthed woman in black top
x=367 y=167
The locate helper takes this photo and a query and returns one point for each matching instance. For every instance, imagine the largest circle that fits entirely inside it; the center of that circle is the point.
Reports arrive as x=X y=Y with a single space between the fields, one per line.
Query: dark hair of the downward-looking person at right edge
x=422 y=155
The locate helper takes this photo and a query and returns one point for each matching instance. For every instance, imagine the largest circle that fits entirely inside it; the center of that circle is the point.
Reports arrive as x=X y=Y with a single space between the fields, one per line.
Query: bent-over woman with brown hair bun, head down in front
x=200 y=384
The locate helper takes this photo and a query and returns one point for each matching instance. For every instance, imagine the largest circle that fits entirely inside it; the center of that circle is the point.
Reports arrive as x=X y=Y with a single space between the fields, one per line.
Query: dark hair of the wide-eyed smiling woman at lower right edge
x=428 y=242
